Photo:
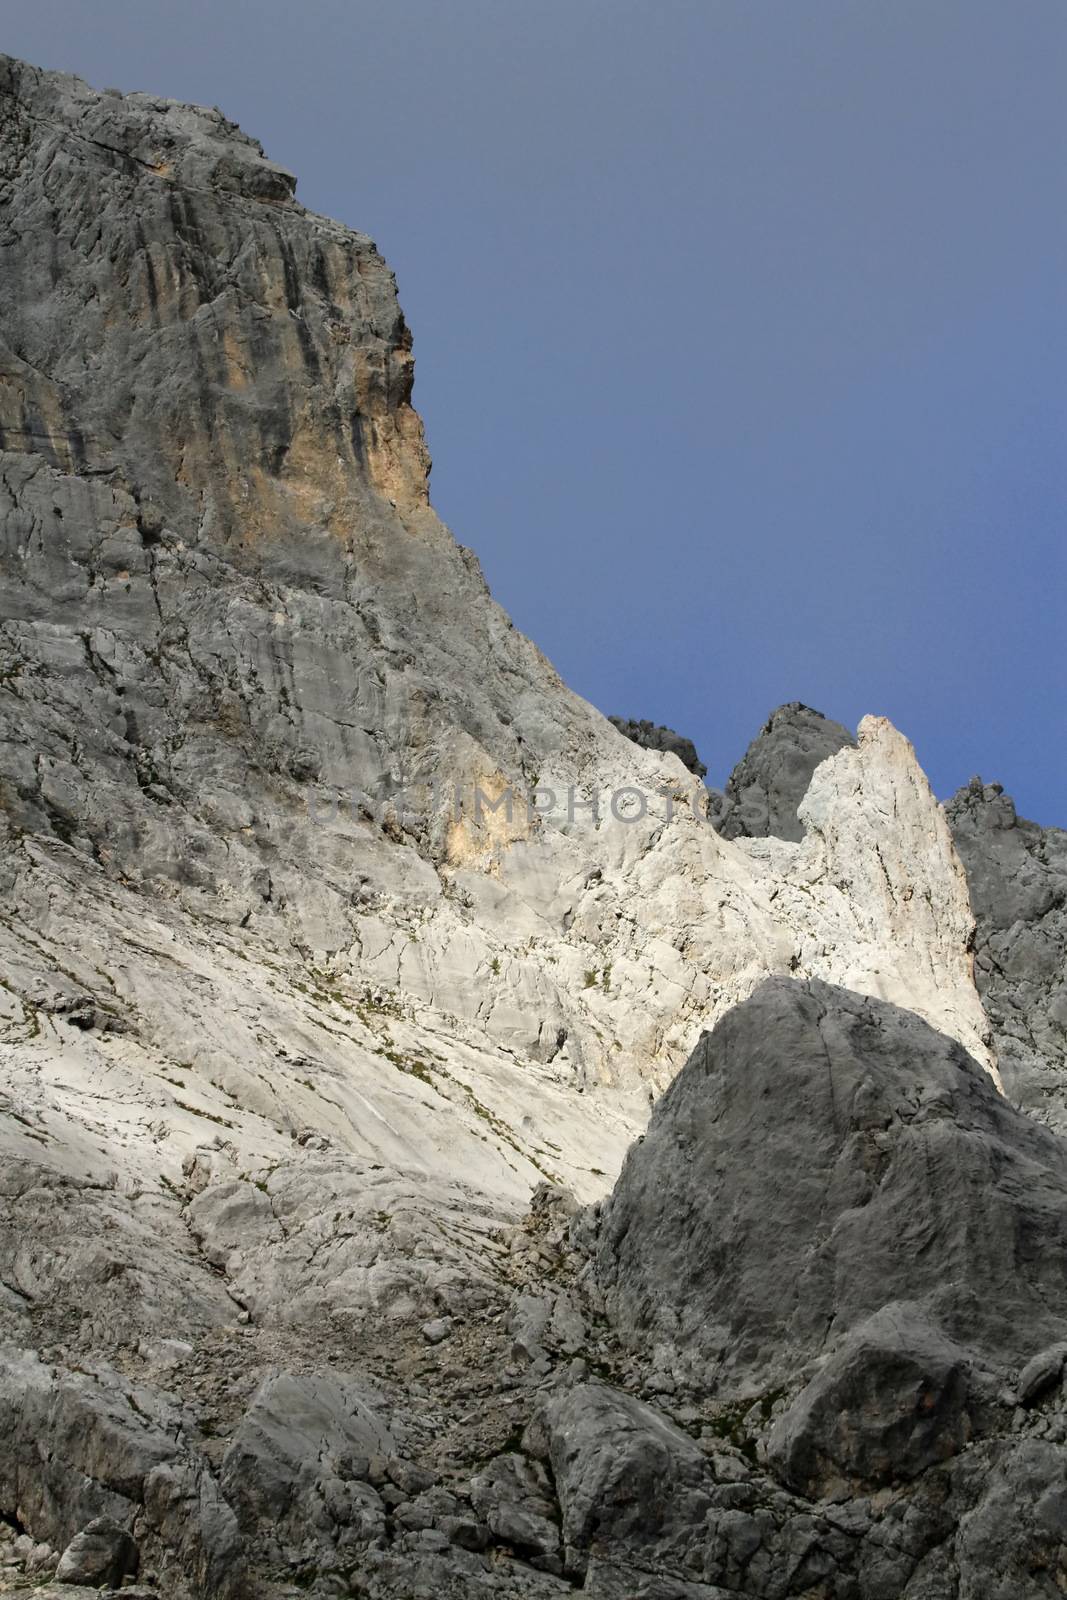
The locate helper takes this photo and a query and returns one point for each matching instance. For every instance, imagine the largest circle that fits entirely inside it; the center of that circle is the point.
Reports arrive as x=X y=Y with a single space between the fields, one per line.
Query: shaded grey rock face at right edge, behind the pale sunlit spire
x=1018 y=882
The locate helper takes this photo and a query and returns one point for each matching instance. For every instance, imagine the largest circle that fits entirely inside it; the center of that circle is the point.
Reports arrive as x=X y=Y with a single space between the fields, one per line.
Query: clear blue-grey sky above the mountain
x=740 y=327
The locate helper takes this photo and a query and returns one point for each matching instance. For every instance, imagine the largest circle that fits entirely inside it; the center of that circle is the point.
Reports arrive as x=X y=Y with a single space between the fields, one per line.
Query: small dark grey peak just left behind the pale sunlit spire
x=770 y=782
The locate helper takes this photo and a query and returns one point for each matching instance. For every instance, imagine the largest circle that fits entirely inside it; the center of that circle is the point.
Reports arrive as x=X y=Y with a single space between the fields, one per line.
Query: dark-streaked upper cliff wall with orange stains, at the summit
x=242 y=313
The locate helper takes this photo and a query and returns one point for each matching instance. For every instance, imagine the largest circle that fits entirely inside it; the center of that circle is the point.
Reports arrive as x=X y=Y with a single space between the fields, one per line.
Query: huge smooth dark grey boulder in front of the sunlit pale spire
x=820 y=1158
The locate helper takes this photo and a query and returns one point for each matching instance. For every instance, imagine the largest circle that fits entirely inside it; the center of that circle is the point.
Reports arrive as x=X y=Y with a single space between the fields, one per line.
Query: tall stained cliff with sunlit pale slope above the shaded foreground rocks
x=258 y=706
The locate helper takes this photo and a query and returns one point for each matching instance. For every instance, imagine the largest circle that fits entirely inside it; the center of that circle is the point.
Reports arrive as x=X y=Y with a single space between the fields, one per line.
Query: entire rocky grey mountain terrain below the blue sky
x=343 y=956
